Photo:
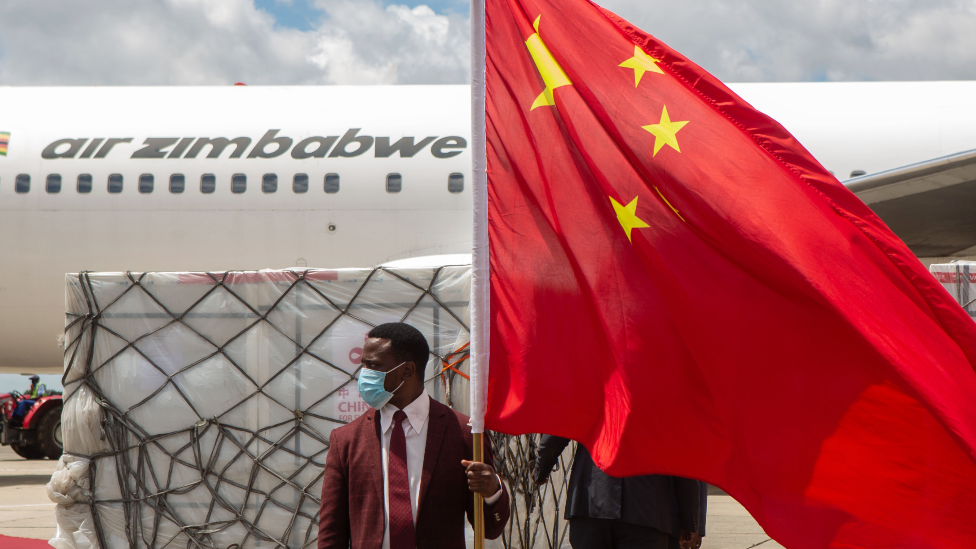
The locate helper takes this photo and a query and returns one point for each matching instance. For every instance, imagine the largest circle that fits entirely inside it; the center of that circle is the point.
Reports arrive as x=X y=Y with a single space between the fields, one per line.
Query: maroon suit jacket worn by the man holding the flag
x=352 y=490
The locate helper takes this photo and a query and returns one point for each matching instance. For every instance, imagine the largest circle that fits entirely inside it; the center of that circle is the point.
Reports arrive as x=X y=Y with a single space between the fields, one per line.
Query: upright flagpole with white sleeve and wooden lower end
x=480 y=328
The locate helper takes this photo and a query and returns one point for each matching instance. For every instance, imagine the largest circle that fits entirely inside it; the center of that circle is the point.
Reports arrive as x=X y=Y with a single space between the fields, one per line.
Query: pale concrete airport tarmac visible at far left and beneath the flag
x=26 y=512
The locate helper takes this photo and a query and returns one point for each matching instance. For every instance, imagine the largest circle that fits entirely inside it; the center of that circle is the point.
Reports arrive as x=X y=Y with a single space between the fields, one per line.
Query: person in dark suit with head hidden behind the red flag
x=644 y=512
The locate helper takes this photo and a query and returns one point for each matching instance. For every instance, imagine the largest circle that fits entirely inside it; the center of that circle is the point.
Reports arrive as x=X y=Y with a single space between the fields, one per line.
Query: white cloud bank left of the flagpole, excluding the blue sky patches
x=192 y=42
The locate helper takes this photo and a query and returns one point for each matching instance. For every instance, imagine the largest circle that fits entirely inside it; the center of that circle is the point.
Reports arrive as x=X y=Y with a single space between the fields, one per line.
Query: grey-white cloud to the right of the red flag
x=772 y=40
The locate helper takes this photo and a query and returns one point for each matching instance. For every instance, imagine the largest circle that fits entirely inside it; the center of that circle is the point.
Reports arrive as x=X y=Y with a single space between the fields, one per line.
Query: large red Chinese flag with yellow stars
x=679 y=285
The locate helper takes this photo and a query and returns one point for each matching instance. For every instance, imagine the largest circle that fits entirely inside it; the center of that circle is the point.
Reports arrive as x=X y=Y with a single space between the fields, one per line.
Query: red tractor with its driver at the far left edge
x=31 y=422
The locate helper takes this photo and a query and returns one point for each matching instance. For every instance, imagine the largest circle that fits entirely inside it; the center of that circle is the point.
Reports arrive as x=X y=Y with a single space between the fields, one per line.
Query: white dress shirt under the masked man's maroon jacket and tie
x=415 y=432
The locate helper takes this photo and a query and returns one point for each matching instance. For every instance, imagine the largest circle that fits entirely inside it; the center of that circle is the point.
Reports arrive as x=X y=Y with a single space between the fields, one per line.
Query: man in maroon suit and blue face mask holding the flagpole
x=400 y=475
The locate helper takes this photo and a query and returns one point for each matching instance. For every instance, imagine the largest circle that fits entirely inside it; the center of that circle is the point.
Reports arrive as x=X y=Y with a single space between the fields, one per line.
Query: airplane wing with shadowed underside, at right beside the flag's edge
x=931 y=205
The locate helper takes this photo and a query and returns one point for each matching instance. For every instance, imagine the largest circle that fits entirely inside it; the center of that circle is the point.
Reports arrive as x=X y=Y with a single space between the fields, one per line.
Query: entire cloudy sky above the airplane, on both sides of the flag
x=198 y=42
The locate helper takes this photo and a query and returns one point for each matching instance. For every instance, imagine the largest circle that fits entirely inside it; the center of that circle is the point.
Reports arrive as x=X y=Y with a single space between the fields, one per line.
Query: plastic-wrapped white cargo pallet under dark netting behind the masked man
x=198 y=406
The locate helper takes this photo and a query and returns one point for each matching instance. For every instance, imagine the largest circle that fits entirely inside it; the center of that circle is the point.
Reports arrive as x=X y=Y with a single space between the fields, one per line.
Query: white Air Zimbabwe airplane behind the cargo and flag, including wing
x=248 y=177
